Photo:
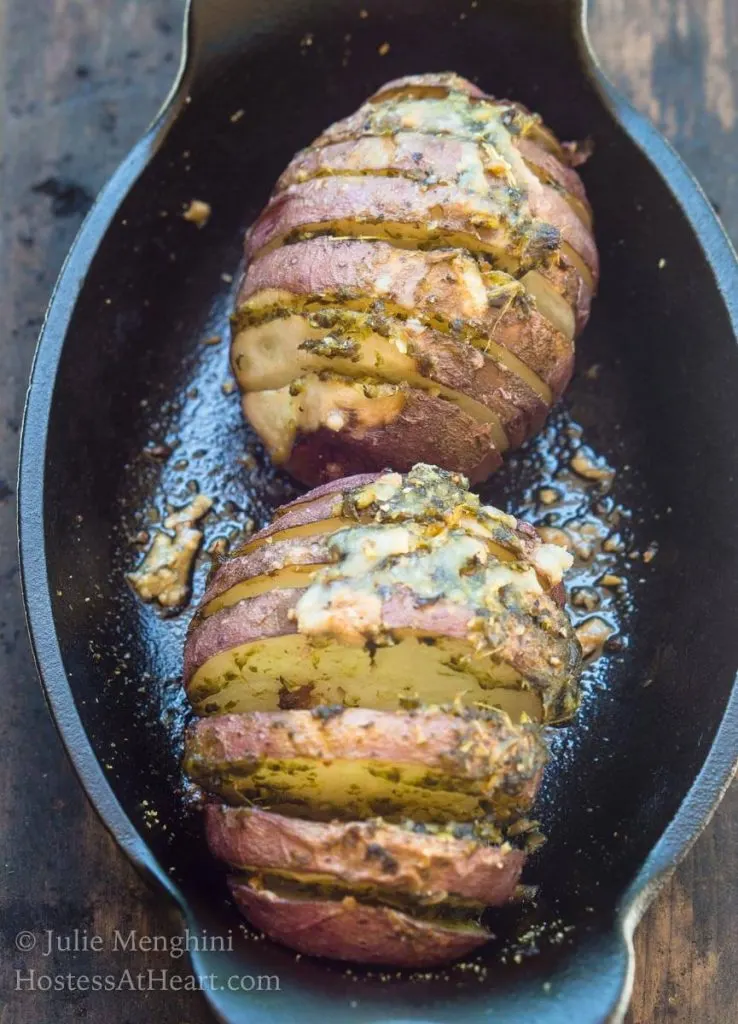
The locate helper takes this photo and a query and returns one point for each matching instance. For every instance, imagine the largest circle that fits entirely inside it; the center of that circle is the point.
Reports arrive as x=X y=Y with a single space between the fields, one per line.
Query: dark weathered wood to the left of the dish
x=78 y=83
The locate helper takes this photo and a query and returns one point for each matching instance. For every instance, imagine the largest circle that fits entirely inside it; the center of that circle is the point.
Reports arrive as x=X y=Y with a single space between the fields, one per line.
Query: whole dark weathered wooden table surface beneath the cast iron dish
x=80 y=79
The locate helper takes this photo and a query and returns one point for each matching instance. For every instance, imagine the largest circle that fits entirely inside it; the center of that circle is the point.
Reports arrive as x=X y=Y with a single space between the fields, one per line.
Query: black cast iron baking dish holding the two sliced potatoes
x=121 y=366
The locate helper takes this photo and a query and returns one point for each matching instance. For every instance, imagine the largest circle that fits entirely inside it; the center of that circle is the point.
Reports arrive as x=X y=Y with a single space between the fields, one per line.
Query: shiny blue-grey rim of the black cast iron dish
x=721 y=763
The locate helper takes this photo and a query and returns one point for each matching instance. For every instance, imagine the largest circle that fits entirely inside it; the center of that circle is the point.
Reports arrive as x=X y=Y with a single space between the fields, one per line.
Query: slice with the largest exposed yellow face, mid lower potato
x=251 y=657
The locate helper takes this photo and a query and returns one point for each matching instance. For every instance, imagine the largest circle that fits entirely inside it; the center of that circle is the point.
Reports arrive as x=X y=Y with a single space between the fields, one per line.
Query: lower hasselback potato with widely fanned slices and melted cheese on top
x=370 y=673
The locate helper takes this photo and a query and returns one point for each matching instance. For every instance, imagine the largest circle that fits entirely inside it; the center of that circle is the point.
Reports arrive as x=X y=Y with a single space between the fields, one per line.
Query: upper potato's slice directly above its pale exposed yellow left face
x=446 y=290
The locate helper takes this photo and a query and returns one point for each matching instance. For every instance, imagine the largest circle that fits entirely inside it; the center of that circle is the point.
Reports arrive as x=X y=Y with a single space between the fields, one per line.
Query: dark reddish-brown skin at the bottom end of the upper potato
x=427 y=430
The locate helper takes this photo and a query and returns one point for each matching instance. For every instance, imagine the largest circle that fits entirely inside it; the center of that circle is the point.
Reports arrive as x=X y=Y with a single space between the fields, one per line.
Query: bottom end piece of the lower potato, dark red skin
x=351 y=931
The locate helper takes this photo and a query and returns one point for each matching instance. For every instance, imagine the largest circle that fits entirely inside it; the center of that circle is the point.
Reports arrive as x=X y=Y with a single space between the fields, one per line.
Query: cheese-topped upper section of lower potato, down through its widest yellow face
x=427 y=595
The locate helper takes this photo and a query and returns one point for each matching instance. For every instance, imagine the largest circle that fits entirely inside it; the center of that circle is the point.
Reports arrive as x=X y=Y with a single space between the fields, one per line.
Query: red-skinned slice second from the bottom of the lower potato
x=365 y=854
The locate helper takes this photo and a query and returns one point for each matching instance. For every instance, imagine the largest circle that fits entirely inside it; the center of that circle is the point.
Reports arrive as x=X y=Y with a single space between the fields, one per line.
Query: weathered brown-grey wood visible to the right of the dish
x=678 y=62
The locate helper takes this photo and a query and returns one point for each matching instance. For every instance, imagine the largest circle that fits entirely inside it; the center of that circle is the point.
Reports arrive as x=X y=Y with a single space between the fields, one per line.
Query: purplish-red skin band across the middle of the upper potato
x=429 y=284
